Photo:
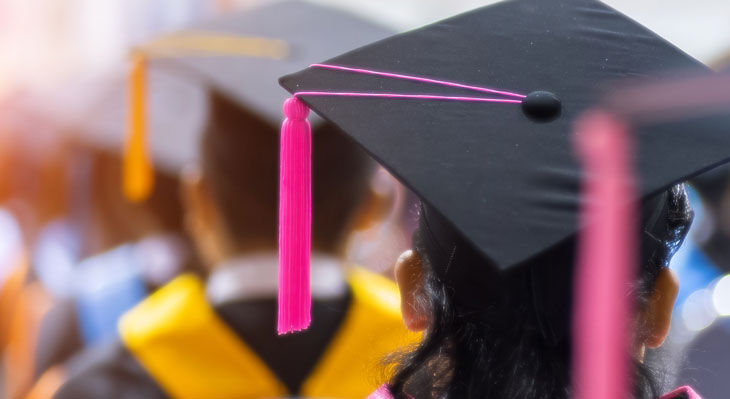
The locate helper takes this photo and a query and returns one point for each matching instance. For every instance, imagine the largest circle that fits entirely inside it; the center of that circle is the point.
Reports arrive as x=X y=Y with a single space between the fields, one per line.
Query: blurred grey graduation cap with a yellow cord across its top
x=243 y=54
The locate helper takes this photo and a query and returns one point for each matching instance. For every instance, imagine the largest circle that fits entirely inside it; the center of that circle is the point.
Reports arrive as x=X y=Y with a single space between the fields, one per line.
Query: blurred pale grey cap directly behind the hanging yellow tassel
x=99 y=119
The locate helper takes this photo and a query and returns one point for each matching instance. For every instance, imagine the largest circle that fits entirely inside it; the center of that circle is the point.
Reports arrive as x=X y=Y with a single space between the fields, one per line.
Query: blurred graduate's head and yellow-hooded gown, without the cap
x=187 y=334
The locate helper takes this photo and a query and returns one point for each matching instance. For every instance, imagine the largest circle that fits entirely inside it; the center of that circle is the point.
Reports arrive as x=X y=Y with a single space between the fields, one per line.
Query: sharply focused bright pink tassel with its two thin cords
x=295 y=193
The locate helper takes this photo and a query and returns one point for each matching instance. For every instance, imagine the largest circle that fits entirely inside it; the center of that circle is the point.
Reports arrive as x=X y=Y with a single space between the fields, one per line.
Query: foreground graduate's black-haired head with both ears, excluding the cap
x=494 y=343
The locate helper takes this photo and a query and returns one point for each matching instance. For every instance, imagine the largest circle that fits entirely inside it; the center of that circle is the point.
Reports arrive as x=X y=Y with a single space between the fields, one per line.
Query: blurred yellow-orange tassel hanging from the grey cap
x=137 y=169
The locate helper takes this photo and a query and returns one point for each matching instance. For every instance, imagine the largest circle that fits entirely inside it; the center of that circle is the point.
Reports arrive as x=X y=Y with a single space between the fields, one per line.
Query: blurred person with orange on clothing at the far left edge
x=32 y=193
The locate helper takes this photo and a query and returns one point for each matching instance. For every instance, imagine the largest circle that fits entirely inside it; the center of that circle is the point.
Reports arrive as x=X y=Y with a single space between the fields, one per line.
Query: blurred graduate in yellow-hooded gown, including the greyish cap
x=218 y=339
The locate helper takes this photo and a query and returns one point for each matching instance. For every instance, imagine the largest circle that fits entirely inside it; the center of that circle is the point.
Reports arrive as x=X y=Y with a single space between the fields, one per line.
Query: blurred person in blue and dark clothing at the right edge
x=698 y=346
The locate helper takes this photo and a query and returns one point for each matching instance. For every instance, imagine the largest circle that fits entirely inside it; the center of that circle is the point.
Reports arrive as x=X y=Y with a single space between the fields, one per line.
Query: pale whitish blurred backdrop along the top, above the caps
x=44 y=42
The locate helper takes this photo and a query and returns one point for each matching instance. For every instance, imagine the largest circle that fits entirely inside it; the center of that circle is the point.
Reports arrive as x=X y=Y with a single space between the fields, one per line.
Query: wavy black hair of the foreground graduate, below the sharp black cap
x=491 y=342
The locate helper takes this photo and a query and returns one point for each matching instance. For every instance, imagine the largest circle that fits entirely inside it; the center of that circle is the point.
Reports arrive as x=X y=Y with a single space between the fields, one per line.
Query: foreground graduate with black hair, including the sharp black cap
x=476 y=115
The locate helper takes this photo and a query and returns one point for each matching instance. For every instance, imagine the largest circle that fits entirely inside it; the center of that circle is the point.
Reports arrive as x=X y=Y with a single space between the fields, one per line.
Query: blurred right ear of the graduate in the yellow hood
x=379 y=203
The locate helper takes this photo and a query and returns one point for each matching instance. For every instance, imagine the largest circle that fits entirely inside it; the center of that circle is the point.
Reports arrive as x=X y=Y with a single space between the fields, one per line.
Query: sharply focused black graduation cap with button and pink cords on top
x=504 y=174
